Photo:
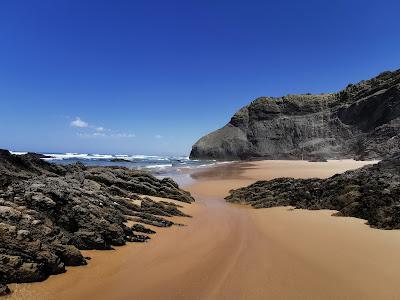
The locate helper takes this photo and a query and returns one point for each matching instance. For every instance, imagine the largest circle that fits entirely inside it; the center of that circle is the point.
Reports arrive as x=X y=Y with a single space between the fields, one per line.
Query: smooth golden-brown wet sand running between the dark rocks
x=229 y=251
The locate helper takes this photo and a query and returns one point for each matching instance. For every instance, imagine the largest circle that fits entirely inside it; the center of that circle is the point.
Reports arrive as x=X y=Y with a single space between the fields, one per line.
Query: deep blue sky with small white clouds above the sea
x=154 y=76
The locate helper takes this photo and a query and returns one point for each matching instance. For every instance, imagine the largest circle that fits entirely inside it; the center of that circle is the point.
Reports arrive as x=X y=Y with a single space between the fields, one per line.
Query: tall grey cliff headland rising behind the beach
x=362 y=121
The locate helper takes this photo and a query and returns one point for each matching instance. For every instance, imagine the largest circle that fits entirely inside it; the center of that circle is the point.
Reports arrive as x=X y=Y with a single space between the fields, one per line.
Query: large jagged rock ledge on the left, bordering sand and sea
x=49 y=212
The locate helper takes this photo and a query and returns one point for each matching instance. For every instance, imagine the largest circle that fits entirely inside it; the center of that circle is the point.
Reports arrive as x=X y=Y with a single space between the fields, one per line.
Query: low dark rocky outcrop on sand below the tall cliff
x=371 y=193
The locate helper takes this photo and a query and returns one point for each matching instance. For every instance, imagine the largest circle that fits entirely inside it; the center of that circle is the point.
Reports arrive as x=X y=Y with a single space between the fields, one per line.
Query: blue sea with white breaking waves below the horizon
x=176 y=167
